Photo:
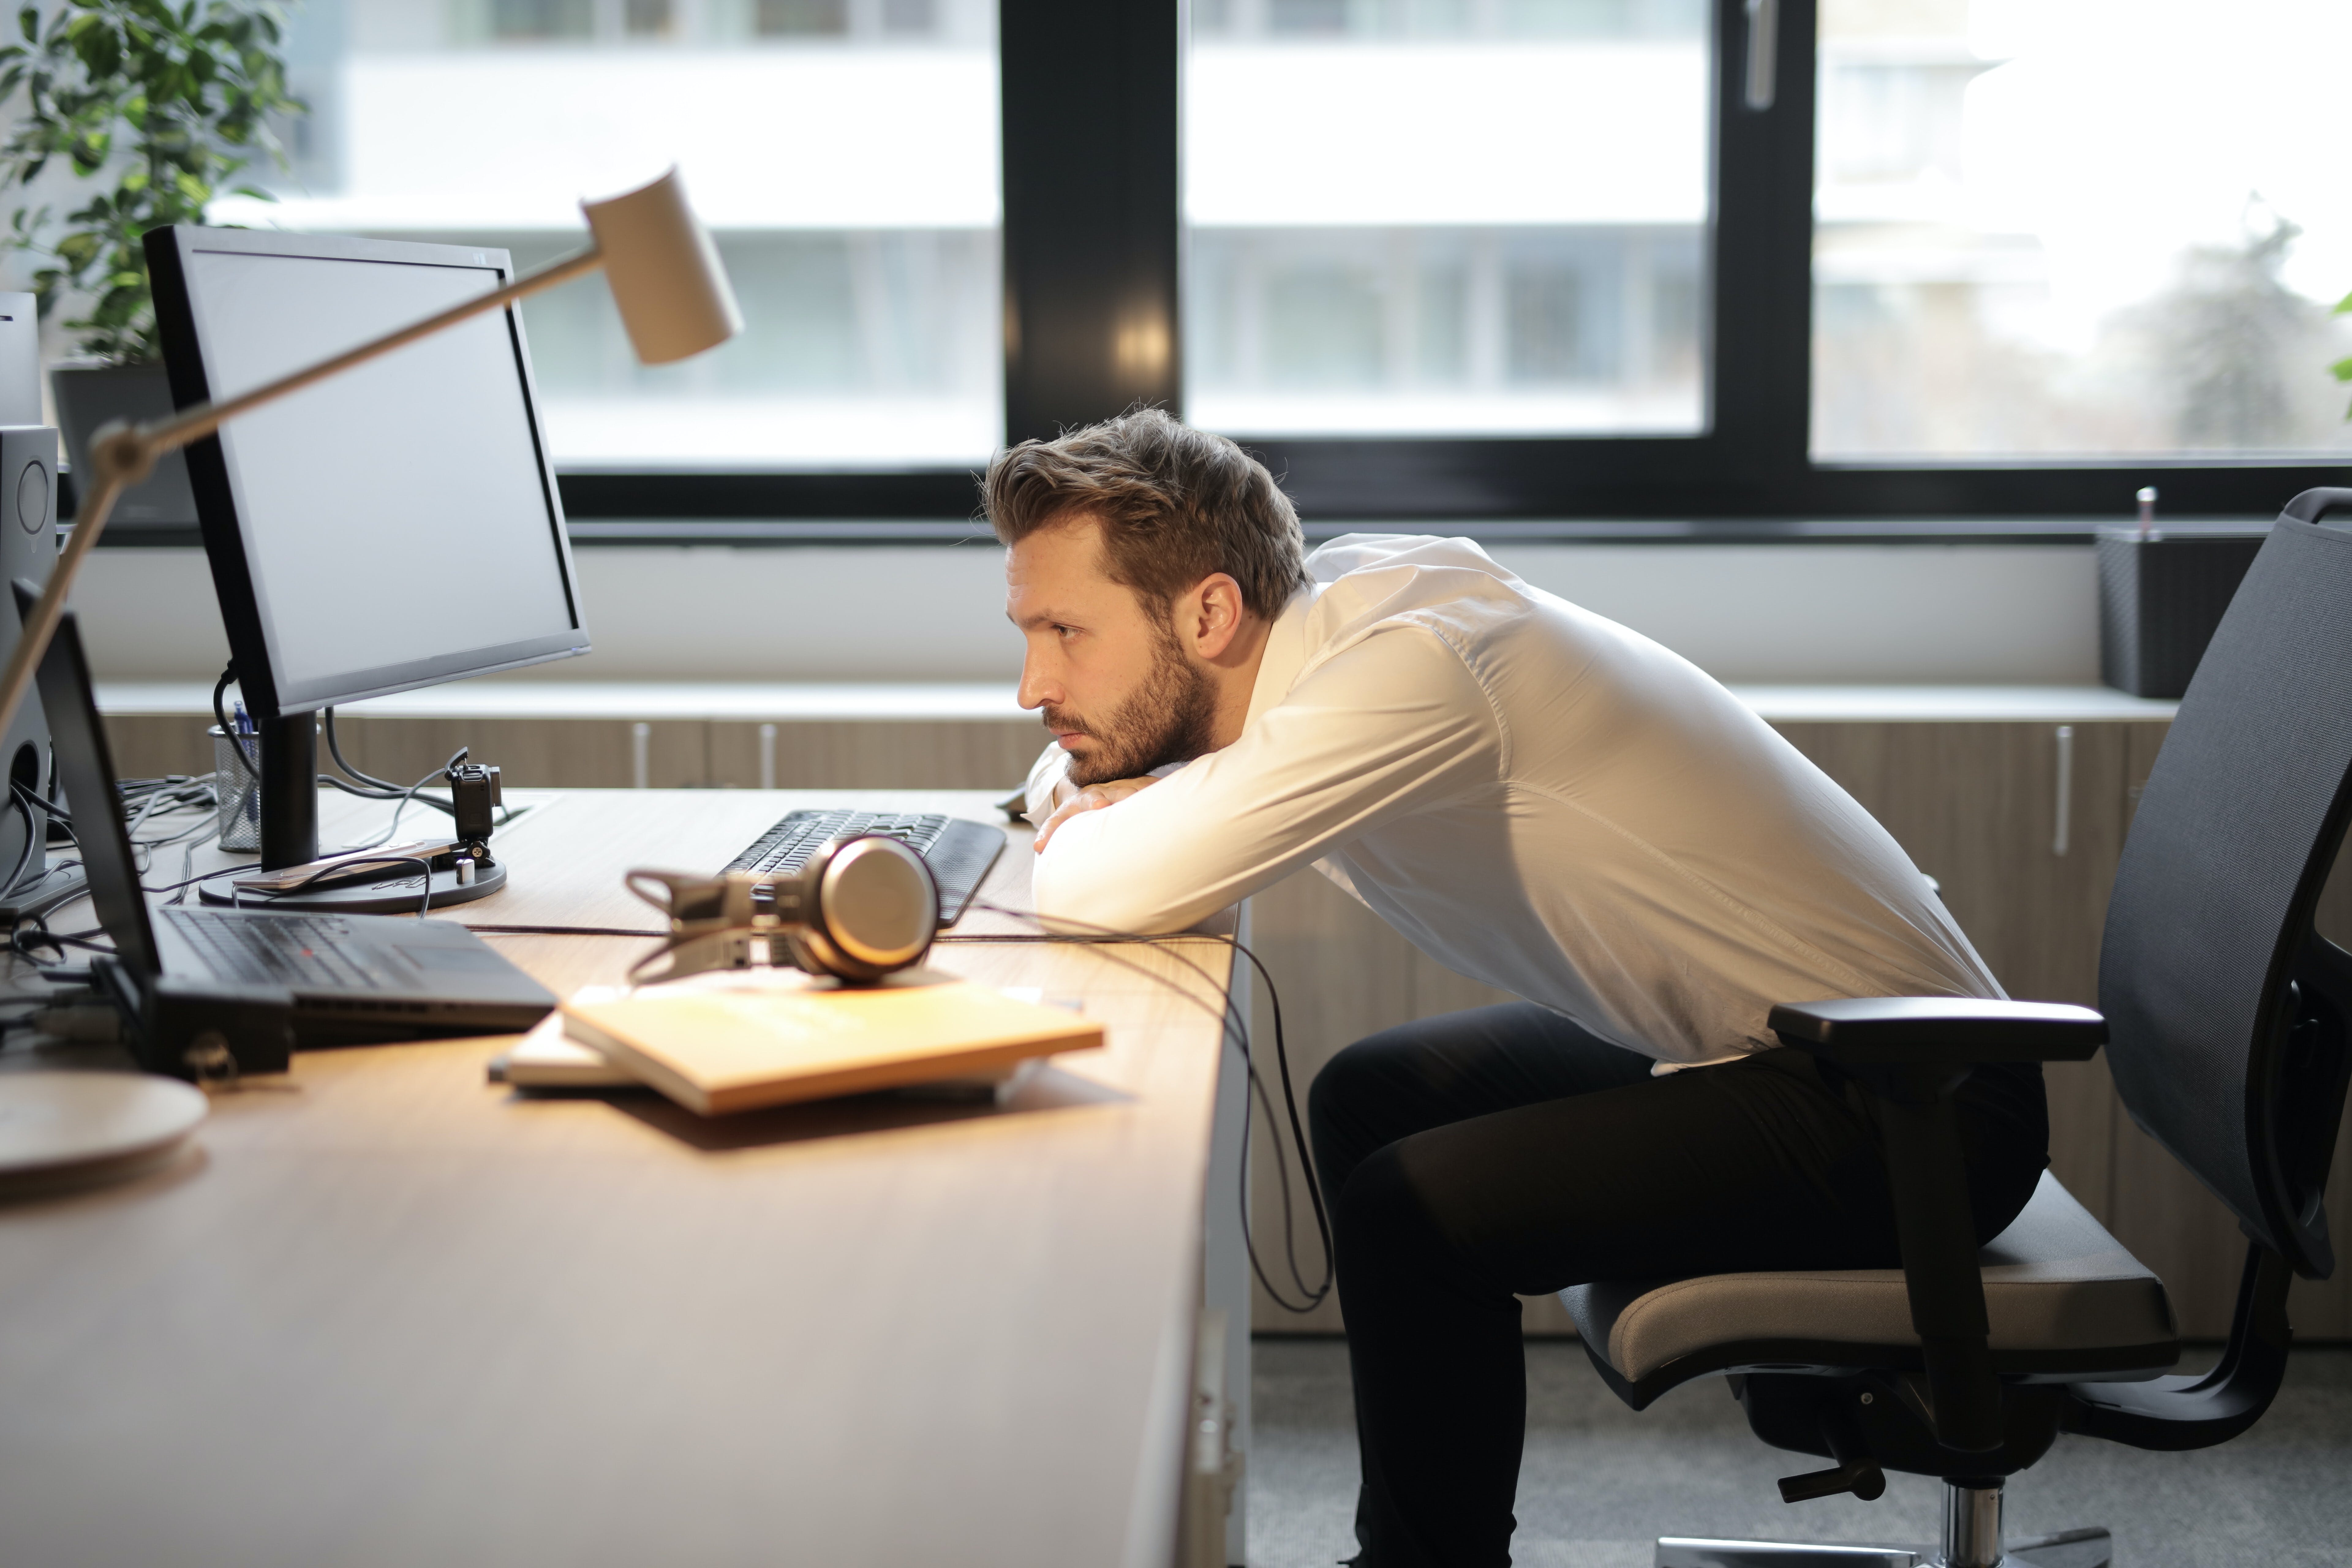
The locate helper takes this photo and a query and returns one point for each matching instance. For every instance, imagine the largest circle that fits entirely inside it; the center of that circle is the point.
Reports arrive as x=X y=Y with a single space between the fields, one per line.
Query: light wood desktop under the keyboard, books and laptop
x=389 y=1313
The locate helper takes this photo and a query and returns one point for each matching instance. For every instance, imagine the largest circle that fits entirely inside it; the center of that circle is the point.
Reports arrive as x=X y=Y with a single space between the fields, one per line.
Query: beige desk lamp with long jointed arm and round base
x=674 y=297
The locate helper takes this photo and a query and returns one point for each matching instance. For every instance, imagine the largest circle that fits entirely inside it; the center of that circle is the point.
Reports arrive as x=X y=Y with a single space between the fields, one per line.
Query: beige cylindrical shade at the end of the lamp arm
x=664 y=272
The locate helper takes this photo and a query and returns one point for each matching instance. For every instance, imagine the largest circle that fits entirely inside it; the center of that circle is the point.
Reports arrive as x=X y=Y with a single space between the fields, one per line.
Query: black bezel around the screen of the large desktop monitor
x=180 y=326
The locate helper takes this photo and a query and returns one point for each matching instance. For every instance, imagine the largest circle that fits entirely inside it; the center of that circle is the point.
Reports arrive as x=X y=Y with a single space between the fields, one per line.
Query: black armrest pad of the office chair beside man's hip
x=1939 y=1031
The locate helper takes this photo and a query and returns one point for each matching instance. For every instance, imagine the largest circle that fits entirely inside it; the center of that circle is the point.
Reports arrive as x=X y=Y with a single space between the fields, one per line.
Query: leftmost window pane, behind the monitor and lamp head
x=843 y=152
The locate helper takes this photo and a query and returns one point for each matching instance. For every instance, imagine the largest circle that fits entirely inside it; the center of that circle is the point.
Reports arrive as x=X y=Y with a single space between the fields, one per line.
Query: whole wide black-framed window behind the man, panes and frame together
x=1577 y=267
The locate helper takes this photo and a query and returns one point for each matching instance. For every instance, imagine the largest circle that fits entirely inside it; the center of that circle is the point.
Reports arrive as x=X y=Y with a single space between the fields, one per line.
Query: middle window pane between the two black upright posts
x=1478 y=217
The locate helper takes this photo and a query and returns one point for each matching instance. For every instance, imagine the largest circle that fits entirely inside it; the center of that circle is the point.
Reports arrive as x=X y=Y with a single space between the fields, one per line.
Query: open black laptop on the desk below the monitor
x=208 y=993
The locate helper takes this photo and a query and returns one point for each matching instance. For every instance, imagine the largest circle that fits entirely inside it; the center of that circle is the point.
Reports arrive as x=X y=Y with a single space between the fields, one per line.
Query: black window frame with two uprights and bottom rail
x=1093 y=264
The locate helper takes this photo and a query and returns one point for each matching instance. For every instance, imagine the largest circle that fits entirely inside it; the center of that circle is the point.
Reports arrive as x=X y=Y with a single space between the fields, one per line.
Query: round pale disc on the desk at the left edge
x=58 y=1125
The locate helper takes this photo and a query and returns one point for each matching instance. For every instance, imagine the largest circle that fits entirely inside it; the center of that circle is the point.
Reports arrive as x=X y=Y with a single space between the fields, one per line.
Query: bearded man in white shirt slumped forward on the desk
x=1539 y=800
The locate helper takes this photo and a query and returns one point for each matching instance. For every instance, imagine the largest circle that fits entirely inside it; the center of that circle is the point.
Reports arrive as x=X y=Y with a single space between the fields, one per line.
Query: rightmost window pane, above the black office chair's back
x=2080 y=227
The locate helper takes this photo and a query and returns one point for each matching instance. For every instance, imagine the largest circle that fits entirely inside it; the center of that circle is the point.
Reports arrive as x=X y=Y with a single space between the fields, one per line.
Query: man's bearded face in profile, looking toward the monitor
x=1116 y=688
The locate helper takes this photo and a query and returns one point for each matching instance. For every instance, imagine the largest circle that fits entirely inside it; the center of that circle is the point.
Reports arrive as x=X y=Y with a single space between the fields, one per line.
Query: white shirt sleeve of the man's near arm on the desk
x=1382 y=730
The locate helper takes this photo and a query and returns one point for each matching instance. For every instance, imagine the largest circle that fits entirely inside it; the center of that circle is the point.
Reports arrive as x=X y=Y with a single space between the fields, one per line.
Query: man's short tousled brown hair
x=1177 y=507
